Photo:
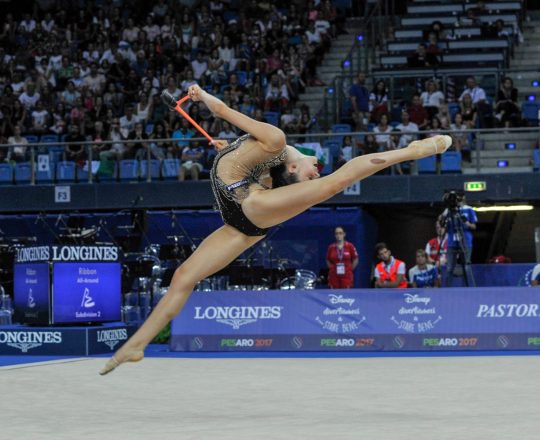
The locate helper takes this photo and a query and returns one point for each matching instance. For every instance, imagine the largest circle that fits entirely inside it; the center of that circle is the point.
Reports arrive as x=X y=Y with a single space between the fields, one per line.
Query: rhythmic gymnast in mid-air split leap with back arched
x=258 y=182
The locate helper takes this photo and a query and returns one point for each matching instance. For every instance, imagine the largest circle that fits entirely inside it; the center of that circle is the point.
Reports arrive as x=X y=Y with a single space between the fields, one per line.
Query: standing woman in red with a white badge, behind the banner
x=341 y=259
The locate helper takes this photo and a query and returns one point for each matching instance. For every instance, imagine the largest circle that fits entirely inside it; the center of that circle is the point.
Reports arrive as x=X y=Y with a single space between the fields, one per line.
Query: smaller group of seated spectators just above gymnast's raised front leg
x=426 y=114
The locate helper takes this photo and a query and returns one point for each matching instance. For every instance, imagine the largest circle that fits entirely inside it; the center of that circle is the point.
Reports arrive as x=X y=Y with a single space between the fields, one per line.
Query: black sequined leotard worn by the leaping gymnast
x=236 y=167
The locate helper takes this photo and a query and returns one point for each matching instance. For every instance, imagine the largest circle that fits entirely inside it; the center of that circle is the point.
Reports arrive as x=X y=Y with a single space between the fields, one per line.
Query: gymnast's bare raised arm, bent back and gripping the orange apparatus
x=271 y=139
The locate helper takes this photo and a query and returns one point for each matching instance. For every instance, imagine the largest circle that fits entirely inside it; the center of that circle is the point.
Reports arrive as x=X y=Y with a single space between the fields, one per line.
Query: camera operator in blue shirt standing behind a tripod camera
x=459 y=220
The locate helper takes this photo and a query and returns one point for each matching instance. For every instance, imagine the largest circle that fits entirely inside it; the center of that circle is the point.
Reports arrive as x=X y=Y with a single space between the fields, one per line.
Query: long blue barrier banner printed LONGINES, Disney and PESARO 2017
x=384 y=319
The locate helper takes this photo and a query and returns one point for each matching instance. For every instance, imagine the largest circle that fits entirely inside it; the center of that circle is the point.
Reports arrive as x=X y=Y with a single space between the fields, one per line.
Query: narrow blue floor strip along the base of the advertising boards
x=162 y=351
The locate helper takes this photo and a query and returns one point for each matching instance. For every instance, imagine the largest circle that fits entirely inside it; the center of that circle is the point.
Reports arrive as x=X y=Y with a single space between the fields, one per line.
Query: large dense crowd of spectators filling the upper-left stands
x=94 y=70
